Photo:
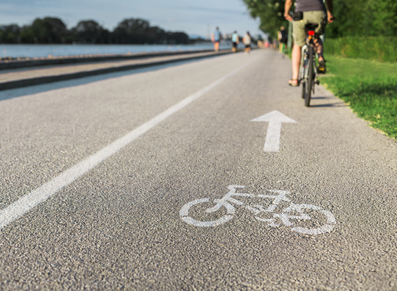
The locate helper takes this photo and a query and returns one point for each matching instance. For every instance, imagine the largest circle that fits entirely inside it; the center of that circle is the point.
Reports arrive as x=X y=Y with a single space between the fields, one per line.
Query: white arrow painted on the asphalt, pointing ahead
x=275 y=119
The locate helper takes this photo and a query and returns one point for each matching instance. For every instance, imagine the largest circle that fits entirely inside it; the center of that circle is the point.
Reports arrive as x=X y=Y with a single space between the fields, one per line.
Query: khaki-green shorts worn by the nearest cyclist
x=319 y=17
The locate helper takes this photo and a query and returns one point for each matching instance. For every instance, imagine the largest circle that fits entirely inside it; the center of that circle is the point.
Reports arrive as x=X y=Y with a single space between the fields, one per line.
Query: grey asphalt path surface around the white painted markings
x=119 y=226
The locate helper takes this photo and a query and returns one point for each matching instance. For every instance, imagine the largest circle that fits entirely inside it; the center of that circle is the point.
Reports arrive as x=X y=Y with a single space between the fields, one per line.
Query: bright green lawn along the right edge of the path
x=368 y=87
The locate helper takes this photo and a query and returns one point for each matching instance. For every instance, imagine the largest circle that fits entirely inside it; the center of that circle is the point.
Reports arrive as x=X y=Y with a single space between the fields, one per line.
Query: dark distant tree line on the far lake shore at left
x=51 y=30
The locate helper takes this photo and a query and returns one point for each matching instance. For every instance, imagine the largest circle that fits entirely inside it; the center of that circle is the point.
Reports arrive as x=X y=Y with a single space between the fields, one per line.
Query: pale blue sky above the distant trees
x=192 y=17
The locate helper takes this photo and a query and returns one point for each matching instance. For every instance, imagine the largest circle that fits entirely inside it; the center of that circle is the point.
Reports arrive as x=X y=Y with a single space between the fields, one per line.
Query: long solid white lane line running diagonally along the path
x=41 y=194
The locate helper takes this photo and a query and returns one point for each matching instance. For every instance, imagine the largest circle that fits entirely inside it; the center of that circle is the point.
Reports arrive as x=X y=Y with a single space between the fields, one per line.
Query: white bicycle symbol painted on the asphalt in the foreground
x=284 y=215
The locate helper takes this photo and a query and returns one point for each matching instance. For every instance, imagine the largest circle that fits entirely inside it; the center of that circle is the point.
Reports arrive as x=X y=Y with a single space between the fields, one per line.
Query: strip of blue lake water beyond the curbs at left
x=43 y=50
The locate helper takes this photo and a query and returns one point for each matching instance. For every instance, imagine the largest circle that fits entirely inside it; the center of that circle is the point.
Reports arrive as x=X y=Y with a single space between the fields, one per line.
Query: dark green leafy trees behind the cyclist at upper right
x=353 y=18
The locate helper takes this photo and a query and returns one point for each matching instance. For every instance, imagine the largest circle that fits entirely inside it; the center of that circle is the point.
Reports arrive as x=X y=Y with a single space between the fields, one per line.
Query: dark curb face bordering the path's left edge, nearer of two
x=64 y=77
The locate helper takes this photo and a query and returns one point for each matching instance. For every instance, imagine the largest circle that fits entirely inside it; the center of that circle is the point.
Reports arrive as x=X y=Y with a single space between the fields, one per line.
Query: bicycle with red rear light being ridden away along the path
x=308 y=69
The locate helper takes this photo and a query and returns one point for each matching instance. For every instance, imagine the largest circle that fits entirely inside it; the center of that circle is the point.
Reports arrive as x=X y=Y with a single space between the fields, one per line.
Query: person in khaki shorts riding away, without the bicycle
x=311 y=11
